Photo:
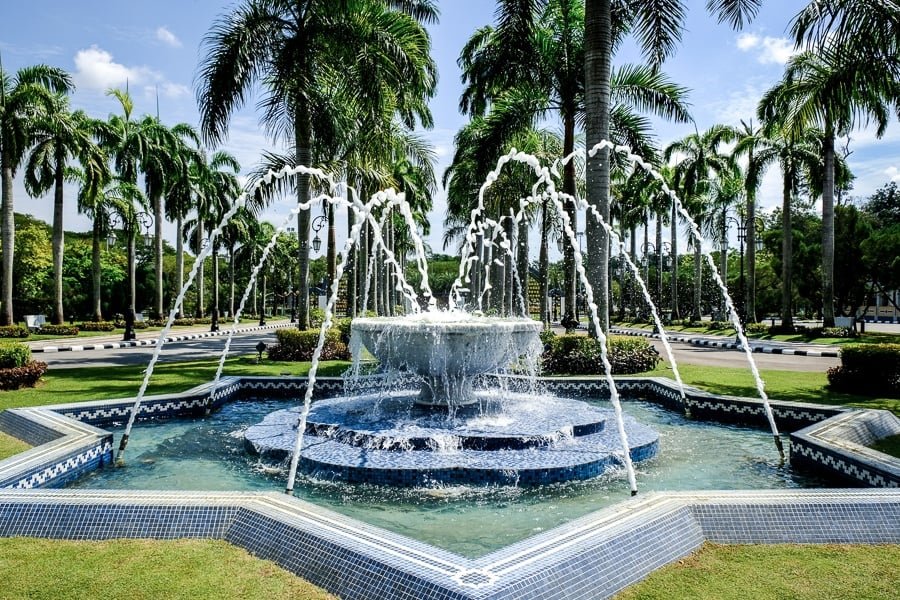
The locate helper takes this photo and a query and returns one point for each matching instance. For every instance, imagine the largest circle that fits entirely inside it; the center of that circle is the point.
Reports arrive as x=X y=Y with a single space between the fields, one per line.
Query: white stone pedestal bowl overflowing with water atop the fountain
x=447 y=349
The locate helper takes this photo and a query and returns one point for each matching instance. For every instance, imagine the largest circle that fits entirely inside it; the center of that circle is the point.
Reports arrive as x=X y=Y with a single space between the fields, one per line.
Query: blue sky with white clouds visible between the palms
x=155 y=48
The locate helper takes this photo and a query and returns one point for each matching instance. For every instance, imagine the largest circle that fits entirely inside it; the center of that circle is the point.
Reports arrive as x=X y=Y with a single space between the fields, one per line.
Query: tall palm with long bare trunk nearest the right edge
x=835 y=91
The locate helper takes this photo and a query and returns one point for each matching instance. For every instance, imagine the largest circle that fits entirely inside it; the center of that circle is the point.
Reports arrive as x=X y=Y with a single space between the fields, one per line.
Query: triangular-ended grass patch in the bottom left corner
x=137 y=569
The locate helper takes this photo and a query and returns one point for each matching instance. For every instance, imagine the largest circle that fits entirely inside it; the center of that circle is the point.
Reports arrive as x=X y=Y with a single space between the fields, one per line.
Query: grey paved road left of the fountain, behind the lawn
x=243 y=343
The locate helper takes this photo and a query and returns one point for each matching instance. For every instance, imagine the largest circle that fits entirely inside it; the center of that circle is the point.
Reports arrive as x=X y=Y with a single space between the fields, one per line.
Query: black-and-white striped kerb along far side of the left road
x=148 y=338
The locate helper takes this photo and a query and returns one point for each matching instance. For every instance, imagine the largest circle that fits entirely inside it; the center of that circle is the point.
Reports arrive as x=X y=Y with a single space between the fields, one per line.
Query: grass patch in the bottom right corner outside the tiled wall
x=769 y=572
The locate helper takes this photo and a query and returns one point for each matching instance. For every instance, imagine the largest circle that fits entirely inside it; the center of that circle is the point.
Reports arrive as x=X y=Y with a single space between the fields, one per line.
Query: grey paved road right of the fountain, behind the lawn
x=716 y=357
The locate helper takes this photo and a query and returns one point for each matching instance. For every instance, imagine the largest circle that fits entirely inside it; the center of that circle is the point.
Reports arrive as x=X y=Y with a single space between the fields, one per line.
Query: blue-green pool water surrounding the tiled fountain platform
x=208 y=454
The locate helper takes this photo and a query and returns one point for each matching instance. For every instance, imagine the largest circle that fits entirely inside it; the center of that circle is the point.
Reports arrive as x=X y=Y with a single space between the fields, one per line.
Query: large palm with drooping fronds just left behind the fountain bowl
x=294 y=46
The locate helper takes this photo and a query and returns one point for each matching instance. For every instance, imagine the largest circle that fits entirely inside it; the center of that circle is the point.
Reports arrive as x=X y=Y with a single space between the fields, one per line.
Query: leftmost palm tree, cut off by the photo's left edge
x=23 y=96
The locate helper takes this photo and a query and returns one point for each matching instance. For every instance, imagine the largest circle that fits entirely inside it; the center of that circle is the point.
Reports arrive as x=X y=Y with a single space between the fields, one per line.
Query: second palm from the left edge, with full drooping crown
x=61 y=135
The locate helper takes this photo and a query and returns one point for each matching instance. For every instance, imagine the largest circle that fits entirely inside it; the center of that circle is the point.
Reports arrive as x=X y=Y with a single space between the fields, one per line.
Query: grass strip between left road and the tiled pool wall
x=91 y=383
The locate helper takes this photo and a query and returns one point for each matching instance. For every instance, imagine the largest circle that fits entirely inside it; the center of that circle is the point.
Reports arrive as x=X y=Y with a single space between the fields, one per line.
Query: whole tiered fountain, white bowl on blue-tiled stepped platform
x=448 y=407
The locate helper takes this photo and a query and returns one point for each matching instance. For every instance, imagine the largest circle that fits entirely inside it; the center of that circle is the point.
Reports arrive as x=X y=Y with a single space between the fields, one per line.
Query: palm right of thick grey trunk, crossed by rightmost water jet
x=700 y=161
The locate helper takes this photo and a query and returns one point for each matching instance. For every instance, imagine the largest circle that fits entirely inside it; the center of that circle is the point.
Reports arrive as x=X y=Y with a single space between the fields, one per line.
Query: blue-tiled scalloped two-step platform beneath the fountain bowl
x=524 y=440
